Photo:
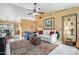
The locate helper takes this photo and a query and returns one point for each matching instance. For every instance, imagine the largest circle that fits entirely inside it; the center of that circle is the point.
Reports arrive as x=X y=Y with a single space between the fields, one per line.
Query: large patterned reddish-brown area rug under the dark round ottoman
x=23 y=47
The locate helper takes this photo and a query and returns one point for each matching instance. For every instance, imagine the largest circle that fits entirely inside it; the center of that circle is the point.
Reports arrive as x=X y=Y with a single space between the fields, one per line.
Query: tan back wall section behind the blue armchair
x=27 y=25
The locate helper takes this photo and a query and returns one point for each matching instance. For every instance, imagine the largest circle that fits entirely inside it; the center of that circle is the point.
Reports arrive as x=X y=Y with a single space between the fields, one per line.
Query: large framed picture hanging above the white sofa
x=49 y=23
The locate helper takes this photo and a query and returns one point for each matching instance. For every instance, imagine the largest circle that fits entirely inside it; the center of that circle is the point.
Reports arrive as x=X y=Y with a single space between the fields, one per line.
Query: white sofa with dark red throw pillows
x=48 y=35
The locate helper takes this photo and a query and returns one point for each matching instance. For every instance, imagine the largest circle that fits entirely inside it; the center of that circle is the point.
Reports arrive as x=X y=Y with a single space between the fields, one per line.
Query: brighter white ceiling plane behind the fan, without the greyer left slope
x=45 y=7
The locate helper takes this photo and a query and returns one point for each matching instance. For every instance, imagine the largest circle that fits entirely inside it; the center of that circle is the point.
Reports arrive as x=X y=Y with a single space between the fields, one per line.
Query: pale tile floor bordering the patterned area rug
x=60 y=50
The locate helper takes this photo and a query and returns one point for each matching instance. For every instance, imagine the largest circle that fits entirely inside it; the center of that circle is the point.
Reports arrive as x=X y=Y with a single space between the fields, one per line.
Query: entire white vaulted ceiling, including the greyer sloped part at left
x=19 y=10
